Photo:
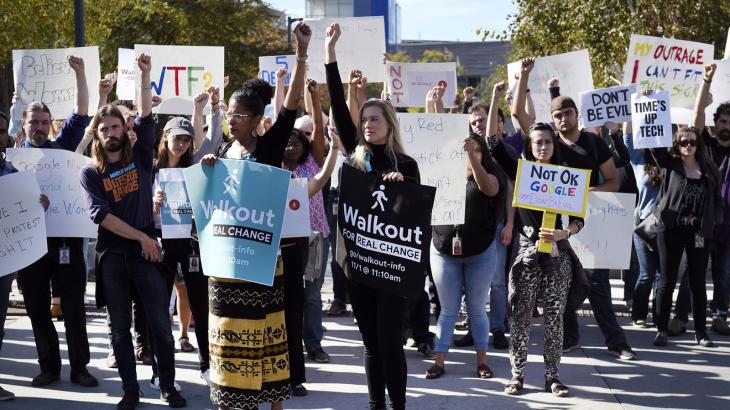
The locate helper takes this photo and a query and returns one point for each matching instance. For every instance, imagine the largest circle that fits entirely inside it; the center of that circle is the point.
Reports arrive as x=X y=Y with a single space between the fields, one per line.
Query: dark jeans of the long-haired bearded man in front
x=120 y=269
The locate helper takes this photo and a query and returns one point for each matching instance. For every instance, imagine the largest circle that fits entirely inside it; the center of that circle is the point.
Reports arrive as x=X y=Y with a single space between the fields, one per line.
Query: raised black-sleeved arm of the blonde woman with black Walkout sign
x=340 y=112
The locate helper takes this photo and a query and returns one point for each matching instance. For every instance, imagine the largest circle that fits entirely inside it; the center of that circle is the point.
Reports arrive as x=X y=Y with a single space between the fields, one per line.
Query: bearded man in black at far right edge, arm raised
x=719 y=147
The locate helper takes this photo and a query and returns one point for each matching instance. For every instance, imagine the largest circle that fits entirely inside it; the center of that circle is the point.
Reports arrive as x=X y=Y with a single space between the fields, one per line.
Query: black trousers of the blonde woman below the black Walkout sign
x=380 y=316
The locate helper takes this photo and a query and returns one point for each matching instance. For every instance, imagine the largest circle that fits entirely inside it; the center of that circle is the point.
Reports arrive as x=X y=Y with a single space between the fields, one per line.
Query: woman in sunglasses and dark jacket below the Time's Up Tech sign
x=688 y=209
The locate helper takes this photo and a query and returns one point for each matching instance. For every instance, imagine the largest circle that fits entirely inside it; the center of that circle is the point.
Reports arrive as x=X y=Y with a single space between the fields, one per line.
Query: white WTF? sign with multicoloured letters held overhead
x=179 y=73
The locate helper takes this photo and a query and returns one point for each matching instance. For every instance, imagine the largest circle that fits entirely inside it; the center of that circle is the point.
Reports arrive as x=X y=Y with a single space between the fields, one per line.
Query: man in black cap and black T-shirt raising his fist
x=582 y=149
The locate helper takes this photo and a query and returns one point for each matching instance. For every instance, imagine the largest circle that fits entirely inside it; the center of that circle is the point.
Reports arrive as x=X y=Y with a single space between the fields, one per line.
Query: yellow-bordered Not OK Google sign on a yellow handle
x=551 y=188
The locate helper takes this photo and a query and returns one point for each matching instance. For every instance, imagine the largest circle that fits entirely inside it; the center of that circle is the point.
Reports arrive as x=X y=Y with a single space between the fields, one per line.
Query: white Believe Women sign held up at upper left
x=46 y=76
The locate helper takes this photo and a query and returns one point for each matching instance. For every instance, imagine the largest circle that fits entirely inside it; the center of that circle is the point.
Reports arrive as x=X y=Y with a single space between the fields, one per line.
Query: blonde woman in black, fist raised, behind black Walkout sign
x=375 y=146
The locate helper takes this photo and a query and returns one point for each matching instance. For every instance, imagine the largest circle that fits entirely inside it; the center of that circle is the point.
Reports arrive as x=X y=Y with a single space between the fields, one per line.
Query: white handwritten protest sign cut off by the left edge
x=22 y=225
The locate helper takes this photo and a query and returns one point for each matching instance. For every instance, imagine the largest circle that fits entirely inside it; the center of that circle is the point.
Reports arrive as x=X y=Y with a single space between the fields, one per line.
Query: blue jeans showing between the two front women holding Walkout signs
x=312 y=332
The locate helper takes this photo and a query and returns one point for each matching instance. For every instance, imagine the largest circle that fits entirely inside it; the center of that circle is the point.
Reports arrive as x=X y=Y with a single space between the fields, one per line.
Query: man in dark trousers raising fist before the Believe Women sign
x=65 y=256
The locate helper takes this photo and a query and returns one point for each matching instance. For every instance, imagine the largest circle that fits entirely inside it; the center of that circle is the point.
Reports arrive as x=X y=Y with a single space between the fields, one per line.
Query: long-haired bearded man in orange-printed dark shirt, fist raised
x=118 y=186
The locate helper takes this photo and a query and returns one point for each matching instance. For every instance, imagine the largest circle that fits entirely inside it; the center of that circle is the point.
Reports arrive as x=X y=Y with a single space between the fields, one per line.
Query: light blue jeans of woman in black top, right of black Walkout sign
x=473 y=275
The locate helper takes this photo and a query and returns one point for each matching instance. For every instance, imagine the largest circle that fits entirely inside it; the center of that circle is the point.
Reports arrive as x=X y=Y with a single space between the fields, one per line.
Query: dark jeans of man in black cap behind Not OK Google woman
x=602 y=305
